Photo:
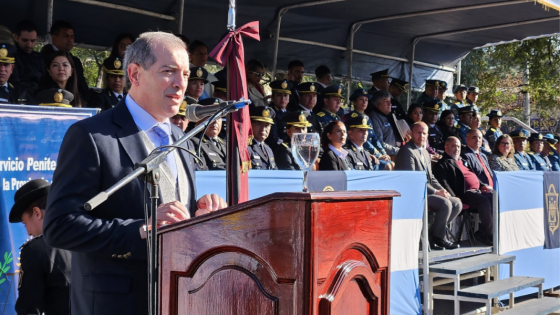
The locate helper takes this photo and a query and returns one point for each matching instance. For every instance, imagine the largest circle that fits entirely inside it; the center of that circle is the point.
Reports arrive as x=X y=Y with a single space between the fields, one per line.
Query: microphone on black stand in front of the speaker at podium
x=150 y=168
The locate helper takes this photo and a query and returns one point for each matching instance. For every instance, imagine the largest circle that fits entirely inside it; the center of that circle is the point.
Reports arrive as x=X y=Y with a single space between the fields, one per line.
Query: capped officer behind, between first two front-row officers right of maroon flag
x=281 y=91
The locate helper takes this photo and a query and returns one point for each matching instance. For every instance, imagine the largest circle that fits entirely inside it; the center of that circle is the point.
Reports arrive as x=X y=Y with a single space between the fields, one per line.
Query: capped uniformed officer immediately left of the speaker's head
x=114 y=86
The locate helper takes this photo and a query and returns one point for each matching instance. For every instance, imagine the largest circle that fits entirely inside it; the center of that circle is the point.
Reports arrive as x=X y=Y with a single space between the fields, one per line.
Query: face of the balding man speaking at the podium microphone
x=159 y=90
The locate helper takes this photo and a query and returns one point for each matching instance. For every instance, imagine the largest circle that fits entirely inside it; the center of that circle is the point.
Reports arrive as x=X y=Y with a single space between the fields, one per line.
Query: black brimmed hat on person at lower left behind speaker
x=27 y=194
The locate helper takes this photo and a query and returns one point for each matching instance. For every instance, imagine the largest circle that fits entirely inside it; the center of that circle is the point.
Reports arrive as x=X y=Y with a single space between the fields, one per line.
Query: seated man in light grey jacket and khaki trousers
x=414 y=157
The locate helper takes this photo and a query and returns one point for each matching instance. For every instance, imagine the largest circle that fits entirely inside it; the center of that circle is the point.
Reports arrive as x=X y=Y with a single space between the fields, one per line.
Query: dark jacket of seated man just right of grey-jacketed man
x=450 y=176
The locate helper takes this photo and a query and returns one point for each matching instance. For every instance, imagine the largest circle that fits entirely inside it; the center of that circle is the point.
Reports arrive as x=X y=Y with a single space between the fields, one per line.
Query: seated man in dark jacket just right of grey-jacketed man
x=456 y=177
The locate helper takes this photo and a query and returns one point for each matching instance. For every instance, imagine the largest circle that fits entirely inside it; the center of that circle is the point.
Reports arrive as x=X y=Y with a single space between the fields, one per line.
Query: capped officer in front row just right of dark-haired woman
x=358 y=158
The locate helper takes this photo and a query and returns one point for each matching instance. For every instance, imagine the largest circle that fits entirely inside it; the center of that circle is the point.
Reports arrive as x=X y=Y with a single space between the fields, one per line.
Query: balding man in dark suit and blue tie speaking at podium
x=109 y=260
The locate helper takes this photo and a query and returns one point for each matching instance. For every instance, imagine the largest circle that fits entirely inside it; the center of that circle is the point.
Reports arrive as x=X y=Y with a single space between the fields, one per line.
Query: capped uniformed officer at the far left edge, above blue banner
x=10 y=94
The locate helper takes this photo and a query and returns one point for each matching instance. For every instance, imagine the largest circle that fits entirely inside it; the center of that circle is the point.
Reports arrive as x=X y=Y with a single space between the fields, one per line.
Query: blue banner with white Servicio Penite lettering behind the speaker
x=30 y=139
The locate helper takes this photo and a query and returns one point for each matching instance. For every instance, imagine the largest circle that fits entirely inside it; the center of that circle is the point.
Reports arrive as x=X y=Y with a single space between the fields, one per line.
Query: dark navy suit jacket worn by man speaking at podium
x=108 y=255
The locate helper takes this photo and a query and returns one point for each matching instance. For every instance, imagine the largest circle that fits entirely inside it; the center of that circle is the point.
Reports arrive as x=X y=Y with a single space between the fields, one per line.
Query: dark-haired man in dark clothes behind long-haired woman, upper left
x=62 y=37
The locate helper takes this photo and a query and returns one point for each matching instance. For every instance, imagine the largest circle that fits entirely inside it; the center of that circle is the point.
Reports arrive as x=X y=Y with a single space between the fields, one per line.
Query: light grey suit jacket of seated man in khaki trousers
x=409 y=159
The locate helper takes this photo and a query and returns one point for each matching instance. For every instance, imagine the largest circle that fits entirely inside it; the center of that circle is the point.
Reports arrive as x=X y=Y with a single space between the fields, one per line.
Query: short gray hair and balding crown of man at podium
x=141 y=52
